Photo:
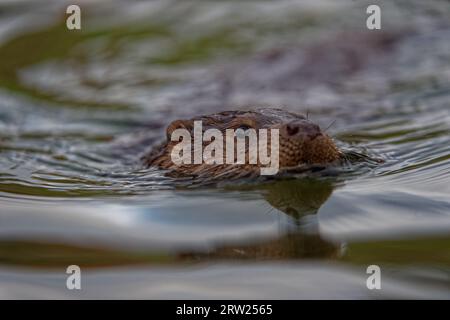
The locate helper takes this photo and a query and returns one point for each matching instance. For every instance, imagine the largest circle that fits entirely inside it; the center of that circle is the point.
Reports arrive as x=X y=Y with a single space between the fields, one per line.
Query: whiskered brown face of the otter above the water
x=300 y=141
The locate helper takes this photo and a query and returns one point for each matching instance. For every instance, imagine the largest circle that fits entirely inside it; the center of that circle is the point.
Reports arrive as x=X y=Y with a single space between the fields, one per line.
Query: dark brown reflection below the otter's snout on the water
x=297 y=198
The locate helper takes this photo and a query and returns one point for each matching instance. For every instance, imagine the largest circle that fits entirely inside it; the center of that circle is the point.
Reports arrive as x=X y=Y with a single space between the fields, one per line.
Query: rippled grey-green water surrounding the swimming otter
x=78 y=109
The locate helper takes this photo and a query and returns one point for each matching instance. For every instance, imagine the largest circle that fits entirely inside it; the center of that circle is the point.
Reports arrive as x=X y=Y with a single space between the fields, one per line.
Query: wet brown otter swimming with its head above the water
x=301 y=142
